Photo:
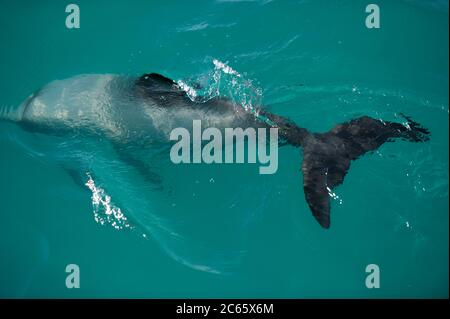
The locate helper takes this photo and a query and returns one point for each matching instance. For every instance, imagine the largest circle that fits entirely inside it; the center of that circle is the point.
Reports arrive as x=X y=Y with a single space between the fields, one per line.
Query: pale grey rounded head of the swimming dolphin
x=82 y=101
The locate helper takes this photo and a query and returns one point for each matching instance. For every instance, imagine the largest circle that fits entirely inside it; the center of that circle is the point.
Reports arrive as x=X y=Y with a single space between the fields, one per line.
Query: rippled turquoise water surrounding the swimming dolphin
x=225 y=230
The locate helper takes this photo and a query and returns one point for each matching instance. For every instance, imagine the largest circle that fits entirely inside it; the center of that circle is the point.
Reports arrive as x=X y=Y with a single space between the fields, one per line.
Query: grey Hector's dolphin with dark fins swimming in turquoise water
x=143 y=111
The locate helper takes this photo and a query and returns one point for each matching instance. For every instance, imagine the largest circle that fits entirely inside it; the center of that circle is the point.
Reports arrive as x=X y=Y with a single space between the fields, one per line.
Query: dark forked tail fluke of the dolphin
x=327 y=156
